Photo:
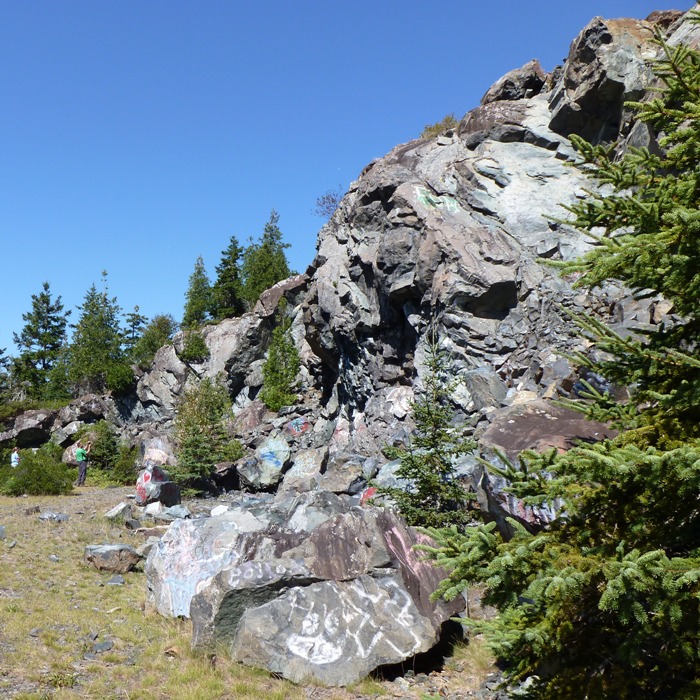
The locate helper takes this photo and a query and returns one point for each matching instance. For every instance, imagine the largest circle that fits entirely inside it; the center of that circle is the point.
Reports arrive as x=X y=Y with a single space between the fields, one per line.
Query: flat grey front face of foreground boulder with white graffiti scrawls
x=334 y=633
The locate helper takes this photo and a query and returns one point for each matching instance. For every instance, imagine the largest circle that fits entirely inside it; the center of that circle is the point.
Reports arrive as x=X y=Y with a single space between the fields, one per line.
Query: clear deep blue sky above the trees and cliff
x=139 y=134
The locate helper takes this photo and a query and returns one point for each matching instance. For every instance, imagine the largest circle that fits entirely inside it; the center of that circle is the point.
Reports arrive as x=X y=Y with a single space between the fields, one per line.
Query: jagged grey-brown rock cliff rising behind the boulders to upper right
x=454 y=230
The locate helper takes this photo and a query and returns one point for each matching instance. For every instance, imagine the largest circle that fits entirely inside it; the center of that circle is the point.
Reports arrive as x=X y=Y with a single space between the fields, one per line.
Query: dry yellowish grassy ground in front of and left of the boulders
x=67 y=632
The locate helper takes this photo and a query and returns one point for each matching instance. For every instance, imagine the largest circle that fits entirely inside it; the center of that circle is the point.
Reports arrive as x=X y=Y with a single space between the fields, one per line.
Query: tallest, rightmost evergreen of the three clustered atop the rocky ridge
x=264 y=262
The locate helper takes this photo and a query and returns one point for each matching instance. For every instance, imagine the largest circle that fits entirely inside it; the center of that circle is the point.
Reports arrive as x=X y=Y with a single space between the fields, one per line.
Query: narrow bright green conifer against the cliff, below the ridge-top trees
x=281 y=368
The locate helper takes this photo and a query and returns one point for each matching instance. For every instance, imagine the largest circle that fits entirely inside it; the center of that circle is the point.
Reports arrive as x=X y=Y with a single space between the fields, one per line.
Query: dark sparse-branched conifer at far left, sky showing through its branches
x=40 y=343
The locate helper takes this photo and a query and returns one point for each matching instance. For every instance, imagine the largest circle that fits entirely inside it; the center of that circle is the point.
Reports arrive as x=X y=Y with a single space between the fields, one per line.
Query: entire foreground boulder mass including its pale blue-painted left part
x=295 y=600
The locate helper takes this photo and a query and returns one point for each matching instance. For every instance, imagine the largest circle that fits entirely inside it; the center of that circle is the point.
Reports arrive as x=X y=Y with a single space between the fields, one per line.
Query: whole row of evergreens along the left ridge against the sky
x=107 y=343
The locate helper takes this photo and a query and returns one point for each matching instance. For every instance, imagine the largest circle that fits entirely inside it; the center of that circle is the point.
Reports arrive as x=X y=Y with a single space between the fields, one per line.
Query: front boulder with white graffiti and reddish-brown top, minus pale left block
x=354 y=588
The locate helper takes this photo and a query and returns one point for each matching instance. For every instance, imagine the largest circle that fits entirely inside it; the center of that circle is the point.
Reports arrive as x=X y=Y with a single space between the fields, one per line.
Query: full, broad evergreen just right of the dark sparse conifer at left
x=96 y=360
